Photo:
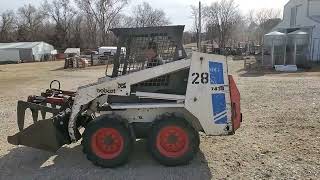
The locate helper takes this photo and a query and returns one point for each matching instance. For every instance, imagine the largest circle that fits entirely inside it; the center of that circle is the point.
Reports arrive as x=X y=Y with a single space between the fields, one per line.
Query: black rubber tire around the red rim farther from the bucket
x=187 y=155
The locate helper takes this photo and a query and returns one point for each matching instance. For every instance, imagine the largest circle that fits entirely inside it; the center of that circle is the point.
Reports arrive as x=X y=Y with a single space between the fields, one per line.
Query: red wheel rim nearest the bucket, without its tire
x=107 y=143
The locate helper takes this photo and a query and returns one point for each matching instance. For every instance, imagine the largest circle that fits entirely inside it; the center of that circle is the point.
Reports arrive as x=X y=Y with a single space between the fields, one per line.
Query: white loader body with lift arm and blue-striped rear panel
x=206 y=104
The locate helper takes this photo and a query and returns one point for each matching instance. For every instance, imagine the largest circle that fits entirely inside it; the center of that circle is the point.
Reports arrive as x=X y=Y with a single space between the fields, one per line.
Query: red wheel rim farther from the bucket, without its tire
x=172 y=141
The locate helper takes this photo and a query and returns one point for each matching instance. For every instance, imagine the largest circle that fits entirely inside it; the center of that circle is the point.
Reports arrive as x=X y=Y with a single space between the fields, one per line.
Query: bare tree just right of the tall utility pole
x=221 y=17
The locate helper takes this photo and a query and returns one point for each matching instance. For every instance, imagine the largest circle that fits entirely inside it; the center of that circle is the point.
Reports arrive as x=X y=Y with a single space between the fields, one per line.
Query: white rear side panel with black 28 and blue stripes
x=208 y=94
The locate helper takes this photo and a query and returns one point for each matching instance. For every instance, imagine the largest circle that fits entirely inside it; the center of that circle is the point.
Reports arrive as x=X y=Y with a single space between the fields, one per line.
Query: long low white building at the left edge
x=25 y=51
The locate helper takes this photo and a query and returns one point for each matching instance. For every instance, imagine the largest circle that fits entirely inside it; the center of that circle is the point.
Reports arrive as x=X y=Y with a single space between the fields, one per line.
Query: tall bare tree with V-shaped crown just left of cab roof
x=104 y=12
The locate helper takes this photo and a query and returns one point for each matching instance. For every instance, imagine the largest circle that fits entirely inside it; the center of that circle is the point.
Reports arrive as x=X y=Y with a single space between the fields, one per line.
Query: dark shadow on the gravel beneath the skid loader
x=33 y=161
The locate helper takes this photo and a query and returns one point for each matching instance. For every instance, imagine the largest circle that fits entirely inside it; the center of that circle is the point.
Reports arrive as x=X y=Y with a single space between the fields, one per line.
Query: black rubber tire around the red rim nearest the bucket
x=90 y=140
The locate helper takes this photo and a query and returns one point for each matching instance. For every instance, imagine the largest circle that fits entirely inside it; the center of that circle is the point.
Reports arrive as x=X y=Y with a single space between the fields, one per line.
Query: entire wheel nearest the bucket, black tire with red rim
x=107 y=142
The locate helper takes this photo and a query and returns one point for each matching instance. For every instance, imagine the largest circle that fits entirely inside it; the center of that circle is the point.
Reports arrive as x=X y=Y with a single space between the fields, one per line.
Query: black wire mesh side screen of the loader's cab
x=147 y=48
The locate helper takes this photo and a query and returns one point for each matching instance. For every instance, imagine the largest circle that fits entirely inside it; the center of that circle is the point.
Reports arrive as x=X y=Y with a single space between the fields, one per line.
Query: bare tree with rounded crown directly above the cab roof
x=145 y=16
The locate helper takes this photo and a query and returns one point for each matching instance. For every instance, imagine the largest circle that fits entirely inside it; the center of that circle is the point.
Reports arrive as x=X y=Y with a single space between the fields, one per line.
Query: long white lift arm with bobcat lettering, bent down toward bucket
x=119 y=86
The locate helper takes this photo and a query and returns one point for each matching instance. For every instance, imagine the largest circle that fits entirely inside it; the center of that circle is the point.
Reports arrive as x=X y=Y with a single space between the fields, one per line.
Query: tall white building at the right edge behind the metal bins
x=303 y=15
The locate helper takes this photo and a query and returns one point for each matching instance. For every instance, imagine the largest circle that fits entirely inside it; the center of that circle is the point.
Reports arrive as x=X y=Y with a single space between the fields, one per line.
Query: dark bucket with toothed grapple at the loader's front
x=46 y=134
